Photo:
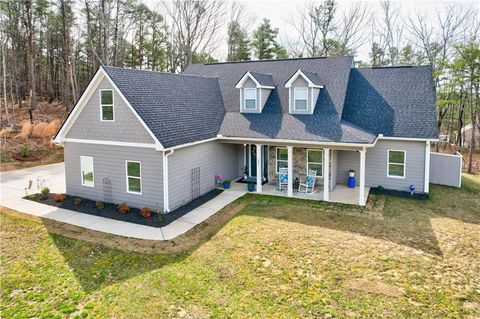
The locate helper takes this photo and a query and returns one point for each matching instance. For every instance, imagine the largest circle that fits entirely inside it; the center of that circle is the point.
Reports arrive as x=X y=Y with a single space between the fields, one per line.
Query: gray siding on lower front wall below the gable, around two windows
x=109 y=161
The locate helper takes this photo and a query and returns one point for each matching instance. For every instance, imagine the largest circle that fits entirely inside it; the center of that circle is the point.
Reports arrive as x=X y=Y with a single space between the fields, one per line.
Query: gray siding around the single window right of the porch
x=376 y=165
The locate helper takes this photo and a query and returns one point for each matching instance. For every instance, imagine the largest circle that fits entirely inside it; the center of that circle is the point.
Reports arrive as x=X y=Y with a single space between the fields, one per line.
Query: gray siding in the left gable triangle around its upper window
x=125 y=127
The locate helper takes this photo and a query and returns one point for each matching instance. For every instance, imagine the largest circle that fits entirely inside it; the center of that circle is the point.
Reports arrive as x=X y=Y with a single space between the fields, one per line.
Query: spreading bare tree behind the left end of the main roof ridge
x=193 y=27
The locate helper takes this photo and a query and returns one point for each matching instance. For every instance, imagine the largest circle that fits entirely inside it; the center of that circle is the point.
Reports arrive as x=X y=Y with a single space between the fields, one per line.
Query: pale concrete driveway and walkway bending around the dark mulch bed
x=13 y=186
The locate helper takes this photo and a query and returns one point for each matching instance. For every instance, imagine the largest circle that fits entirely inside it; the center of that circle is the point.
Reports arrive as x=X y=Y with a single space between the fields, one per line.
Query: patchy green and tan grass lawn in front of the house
x=275 y=258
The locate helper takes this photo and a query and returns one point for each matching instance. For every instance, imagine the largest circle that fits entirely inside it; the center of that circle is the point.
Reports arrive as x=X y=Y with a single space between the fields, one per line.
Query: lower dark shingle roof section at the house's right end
x=393 y=101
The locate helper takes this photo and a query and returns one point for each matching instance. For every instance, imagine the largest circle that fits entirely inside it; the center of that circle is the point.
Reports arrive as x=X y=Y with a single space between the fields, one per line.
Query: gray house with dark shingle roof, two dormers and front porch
x=159 y=139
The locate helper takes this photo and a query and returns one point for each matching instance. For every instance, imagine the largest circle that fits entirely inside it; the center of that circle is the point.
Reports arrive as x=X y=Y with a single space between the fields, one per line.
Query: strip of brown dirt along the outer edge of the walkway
x=182 y=243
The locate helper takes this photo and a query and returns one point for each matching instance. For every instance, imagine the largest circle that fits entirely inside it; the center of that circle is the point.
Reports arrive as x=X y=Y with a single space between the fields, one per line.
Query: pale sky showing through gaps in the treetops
x=280 y=12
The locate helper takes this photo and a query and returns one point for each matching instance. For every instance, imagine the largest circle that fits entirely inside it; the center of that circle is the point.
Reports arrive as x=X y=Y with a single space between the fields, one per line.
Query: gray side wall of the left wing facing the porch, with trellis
x=213 y=158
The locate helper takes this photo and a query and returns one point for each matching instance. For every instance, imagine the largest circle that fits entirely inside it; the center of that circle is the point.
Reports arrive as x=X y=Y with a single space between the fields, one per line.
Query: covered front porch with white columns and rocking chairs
x=261 y=164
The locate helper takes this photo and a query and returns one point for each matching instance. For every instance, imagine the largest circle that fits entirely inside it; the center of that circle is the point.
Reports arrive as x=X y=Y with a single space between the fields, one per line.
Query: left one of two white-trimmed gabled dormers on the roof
x=254 y=89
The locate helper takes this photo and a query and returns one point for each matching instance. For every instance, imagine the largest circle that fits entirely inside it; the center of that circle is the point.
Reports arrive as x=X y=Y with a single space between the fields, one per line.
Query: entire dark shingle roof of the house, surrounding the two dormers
x=354 y=106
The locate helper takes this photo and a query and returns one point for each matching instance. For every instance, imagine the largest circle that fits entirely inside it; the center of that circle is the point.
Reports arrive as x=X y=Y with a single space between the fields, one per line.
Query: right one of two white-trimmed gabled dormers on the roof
x=303 y=91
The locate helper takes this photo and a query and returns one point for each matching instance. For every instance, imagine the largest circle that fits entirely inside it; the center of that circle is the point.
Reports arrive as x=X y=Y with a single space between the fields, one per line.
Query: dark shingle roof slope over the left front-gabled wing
x=178 y=109
